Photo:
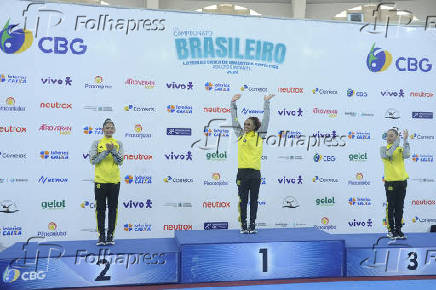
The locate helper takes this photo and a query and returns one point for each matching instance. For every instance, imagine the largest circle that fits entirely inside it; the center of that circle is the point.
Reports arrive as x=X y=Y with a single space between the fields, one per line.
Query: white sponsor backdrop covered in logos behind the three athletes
x=166 y=79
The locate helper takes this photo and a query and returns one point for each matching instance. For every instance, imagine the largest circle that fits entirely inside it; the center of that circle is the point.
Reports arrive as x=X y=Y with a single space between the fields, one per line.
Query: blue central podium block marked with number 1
x=270 y=254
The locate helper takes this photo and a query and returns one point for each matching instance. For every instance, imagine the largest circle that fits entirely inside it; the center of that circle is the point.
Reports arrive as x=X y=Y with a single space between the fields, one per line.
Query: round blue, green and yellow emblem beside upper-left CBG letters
x=14 y=41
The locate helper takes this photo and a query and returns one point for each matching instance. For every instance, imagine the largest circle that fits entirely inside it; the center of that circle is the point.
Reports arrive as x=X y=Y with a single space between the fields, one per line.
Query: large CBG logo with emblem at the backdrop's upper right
x=379 y=60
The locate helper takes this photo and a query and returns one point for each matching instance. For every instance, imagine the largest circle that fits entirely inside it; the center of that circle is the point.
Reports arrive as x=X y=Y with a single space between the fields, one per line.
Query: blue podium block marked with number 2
x=81 y=263
